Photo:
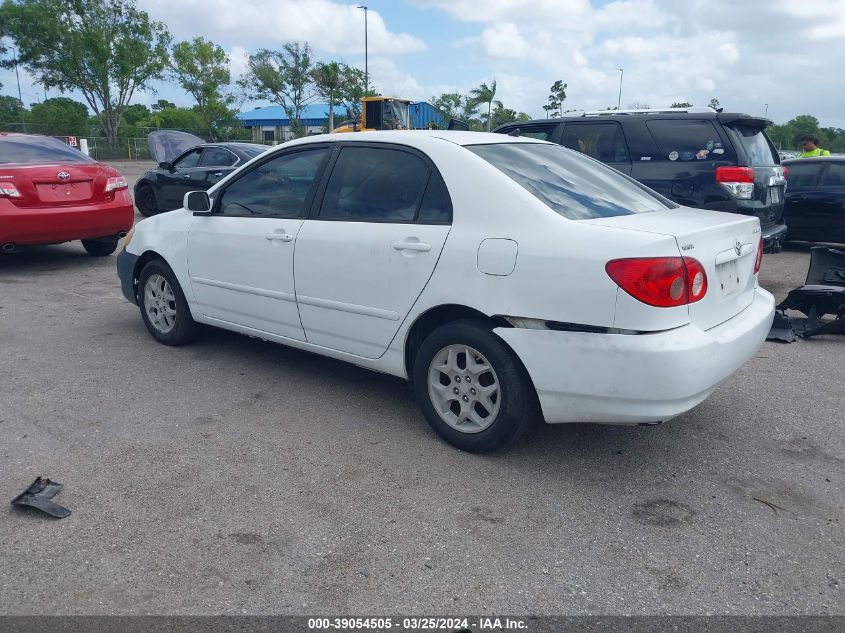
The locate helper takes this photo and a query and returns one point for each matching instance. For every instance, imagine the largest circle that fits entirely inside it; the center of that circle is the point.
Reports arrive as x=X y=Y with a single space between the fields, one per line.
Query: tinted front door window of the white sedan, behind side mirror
x=280 y=187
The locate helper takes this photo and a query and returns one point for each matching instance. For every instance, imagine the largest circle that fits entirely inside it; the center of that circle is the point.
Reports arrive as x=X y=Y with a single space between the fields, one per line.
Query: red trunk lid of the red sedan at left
x=58 y=185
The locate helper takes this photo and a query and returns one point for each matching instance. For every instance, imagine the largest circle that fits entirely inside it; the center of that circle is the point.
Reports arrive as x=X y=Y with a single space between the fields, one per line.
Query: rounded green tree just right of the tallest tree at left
x=202 y=69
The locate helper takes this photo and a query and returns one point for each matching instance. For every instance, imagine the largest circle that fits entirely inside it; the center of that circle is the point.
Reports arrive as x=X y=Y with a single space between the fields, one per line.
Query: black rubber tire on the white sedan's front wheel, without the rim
x=184 y=329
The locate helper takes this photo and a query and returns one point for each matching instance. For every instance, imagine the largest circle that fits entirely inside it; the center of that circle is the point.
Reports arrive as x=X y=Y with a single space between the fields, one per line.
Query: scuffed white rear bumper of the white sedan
x=635 y=379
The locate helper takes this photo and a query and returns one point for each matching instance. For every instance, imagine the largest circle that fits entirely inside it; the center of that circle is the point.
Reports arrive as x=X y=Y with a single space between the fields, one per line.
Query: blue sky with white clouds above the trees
x=776 y=56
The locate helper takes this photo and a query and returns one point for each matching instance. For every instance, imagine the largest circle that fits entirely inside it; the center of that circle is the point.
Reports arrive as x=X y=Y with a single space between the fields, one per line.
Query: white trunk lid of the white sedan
x=726 y=245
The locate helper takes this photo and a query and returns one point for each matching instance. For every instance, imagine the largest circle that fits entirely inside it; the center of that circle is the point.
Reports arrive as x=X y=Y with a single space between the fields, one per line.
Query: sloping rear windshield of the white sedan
x=575 y=186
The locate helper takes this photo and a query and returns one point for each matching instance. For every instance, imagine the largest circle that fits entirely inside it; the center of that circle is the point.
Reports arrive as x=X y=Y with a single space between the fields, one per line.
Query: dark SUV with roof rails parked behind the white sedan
x=697 y=157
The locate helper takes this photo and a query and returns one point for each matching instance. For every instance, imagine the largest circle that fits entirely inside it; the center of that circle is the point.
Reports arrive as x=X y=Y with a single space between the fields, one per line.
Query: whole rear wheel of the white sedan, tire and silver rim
x=472 y=388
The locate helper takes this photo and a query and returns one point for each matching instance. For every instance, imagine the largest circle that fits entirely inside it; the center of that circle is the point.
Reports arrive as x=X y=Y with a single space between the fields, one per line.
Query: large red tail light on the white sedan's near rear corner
x=663 y=282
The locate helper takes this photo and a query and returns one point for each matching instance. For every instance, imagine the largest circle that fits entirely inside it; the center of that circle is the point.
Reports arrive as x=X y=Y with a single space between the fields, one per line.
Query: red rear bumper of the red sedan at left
x=62 y=224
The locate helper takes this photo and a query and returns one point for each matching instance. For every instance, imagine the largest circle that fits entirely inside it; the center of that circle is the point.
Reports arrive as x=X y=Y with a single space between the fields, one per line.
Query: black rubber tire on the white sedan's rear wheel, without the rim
x=518 y=407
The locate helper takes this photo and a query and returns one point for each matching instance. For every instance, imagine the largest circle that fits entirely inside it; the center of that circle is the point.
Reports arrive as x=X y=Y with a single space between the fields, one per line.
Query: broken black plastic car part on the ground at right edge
x=822 y=294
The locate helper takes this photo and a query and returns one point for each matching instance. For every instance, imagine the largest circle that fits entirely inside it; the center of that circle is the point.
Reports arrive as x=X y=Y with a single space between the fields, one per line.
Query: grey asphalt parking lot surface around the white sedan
x=236 y=476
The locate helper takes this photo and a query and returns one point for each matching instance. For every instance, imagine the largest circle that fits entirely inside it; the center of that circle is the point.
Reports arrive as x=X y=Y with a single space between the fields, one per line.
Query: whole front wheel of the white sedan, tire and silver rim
x=163 y=306
